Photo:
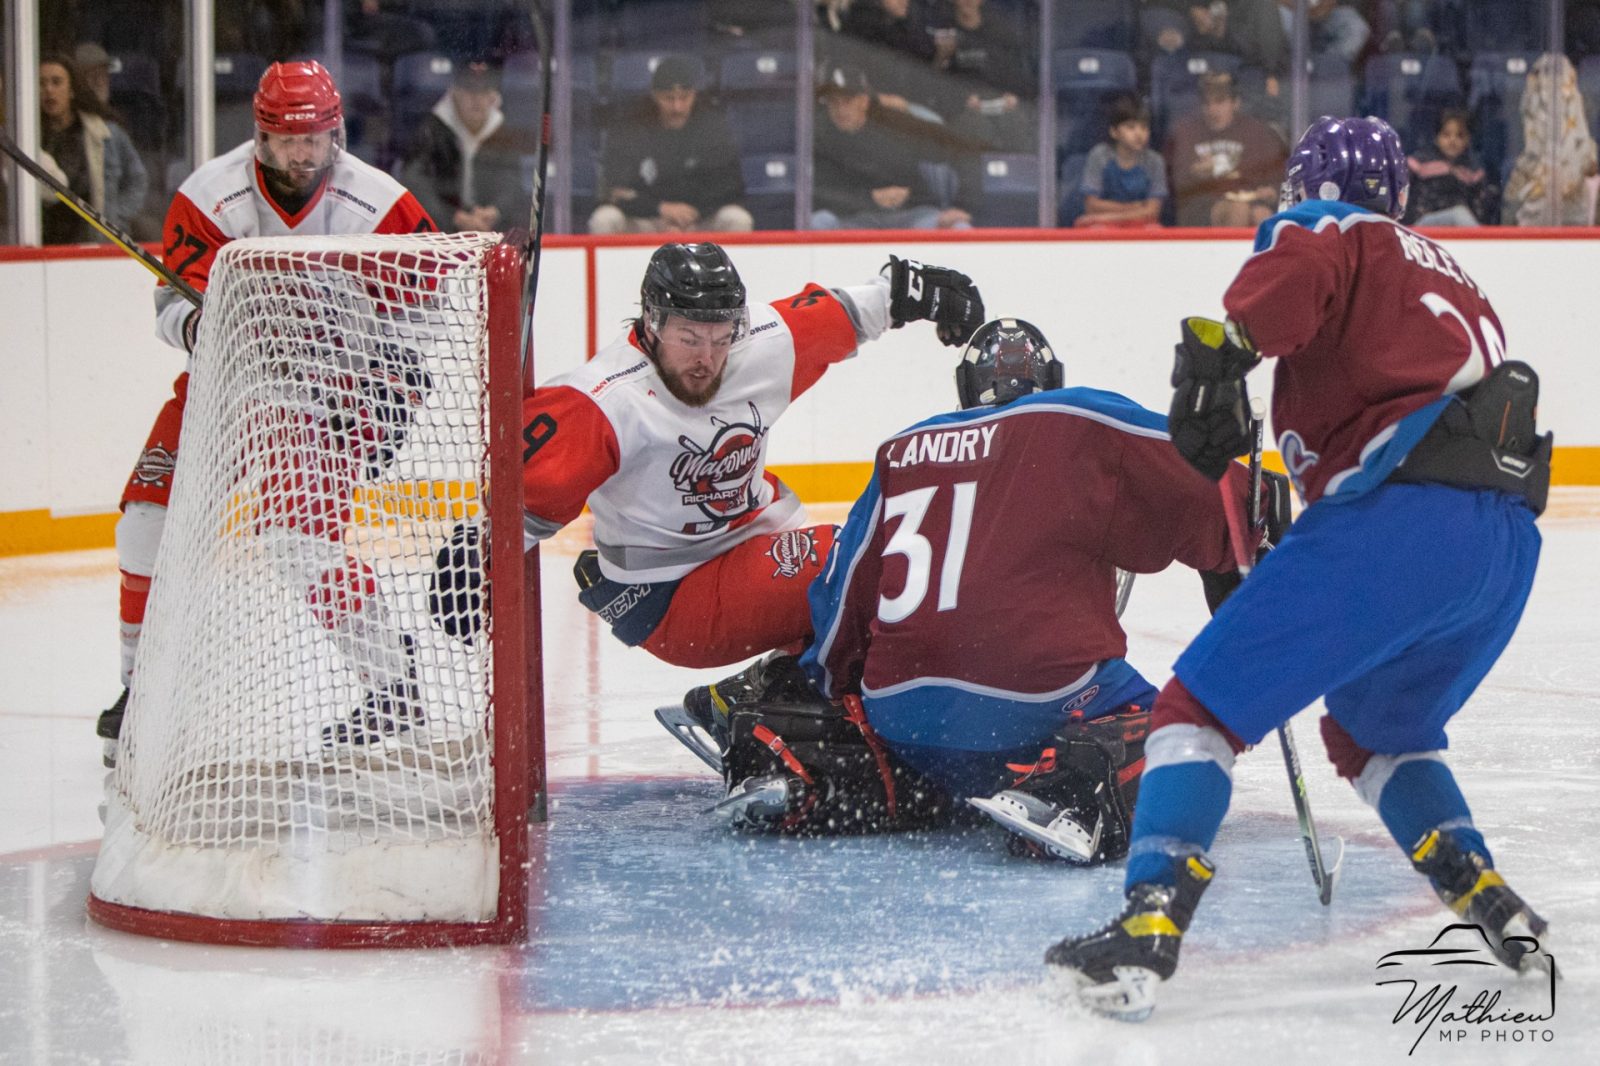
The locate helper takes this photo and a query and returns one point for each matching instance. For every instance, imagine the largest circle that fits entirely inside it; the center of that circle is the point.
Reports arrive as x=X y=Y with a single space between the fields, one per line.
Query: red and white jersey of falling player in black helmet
x=673 y=486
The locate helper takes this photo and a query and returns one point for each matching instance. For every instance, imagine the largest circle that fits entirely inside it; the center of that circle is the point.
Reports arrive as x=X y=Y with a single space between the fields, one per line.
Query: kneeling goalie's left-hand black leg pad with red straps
x=842 y=780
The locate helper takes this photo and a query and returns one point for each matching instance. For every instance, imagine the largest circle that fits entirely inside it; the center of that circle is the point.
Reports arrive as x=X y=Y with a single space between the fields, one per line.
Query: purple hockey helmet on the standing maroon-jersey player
x=1358 y=161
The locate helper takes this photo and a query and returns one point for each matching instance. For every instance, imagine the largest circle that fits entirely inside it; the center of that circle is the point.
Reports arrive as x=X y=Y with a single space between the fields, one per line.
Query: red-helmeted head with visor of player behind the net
x=300 y=126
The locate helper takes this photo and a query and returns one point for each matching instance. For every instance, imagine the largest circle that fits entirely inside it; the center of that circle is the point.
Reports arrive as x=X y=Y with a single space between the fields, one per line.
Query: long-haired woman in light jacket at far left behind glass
x=95 y=154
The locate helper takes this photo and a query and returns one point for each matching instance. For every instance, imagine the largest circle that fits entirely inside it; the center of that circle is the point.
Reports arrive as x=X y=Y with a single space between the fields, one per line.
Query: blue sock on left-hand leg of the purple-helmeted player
x=1180 y=809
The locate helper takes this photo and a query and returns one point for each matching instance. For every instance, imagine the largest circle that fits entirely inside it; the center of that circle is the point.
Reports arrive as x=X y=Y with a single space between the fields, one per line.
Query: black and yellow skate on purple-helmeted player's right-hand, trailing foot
x=1471 y=888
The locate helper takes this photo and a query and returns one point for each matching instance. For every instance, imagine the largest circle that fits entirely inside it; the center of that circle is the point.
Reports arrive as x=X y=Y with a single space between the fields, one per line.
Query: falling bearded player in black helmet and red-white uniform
x=703 y=556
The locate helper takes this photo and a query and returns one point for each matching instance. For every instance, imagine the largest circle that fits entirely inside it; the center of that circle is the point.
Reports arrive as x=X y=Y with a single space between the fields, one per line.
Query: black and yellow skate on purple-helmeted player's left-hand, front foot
x=1114 y=971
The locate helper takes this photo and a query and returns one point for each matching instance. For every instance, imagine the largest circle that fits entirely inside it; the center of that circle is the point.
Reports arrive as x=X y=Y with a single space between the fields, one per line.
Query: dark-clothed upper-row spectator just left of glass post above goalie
x=993 y=81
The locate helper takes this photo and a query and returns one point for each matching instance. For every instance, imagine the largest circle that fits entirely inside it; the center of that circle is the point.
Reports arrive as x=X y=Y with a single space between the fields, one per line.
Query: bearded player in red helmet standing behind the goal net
x=294 y=178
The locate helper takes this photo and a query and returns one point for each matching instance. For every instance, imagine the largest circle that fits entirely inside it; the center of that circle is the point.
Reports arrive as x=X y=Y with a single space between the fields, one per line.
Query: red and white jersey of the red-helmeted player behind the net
x=226 y=199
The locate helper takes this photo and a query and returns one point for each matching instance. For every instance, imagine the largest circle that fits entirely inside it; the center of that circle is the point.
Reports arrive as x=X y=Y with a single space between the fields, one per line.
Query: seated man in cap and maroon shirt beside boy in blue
x=1225 y=162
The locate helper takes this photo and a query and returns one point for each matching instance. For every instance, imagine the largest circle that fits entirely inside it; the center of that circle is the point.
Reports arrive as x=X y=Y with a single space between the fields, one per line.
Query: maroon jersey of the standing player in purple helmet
x=1374 y=326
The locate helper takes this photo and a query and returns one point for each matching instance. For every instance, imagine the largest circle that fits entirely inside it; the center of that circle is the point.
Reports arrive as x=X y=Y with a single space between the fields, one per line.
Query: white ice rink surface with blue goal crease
x=662 y=939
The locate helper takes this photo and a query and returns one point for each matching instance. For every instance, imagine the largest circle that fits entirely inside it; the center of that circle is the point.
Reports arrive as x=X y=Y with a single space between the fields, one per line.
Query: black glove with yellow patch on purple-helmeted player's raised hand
x=1210 y=415
